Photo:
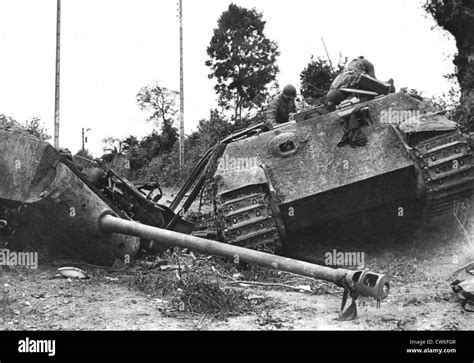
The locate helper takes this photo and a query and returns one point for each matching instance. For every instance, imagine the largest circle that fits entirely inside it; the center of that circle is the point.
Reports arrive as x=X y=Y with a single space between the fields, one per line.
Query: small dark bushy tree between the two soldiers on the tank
x=318 y=75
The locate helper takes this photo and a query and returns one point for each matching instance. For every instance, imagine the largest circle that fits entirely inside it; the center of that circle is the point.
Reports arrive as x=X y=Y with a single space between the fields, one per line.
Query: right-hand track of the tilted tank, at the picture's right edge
x=447 y=167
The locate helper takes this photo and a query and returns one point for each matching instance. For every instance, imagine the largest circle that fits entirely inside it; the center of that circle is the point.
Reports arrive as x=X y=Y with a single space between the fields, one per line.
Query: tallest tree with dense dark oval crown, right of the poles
x=242 y=60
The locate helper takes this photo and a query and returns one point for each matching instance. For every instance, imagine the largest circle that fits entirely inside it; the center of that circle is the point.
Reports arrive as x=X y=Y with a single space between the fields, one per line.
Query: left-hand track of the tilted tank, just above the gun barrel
x=248 y=219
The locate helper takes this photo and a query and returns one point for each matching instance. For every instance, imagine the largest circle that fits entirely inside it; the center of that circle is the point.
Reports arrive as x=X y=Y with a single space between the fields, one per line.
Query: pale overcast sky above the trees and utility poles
x=112 y=48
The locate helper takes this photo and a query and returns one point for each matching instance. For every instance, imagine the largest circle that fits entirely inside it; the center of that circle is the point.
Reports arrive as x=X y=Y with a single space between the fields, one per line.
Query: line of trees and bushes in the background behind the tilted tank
x=243 y=63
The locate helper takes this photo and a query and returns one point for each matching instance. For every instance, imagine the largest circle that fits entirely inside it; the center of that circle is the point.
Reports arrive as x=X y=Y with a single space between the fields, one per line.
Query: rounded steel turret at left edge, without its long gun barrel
x=46 y=203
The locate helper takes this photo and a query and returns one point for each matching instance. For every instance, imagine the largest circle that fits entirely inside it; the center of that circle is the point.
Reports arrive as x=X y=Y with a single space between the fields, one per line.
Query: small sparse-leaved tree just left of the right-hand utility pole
x=162 y=103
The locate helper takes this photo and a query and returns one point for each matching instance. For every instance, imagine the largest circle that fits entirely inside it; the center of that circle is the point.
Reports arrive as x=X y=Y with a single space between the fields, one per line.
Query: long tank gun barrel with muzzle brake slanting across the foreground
x=363 y=283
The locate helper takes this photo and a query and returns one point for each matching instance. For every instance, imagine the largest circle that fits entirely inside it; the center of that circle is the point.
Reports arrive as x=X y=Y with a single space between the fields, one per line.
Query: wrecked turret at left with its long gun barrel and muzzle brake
x=94 y=214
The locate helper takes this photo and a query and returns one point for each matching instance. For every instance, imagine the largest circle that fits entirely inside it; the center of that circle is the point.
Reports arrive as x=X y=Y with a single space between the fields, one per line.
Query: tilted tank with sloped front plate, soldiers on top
x=415 y=171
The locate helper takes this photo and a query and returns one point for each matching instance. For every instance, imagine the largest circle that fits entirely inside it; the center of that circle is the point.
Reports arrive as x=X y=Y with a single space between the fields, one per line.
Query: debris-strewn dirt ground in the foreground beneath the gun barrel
x=420 y=298
